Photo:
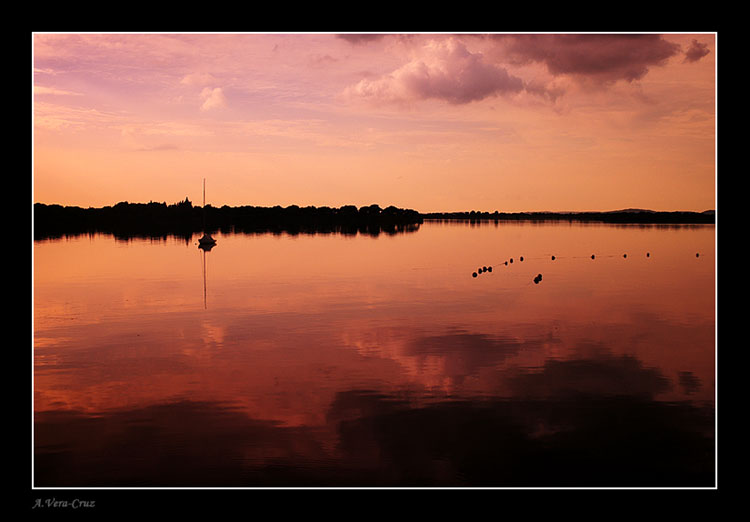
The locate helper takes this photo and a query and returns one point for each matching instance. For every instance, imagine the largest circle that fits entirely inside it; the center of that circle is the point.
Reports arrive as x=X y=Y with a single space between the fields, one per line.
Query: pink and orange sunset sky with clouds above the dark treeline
x=433 y=122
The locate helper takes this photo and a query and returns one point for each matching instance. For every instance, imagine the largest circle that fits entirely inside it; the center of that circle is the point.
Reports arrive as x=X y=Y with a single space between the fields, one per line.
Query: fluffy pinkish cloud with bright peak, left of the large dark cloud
x=444 y=70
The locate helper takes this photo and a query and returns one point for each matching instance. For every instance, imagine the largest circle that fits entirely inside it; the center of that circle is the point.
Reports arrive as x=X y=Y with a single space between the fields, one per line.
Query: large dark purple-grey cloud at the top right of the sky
x=599 y=57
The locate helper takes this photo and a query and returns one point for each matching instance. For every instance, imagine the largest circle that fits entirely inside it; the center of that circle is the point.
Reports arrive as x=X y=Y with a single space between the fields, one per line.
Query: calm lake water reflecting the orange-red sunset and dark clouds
x=330 y=360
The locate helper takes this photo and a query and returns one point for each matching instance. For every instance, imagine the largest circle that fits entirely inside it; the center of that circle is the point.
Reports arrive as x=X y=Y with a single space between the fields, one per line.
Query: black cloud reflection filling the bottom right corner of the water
x=586 y=442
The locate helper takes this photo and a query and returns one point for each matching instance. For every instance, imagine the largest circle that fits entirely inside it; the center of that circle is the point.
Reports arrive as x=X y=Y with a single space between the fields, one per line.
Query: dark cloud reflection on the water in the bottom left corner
x=173 y=444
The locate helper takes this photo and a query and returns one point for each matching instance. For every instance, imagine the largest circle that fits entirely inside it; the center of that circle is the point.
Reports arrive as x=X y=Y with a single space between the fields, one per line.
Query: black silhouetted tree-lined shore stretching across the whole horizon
x=183 y=219
